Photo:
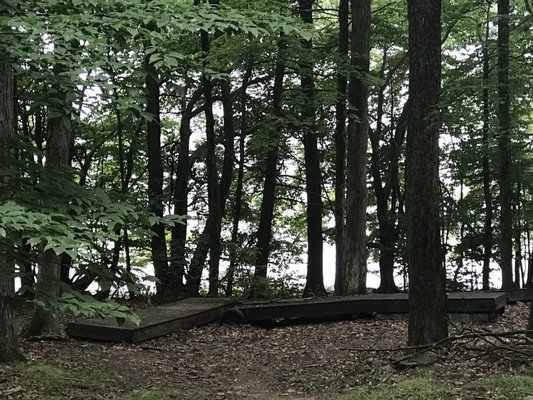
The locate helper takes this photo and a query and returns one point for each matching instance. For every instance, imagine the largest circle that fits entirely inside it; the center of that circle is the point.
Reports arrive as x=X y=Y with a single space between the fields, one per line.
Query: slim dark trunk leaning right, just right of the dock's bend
x=264 y=230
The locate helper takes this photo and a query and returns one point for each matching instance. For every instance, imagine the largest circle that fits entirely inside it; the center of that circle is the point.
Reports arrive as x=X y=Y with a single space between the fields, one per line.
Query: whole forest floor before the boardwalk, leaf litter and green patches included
x=314 y=362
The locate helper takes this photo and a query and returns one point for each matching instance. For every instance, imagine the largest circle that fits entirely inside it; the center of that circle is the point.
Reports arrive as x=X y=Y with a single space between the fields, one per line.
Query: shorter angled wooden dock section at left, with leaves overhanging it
x=155 y=321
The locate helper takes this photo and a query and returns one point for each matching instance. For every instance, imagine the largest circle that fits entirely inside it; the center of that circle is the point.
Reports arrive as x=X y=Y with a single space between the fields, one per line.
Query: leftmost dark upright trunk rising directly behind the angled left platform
x=165 y=285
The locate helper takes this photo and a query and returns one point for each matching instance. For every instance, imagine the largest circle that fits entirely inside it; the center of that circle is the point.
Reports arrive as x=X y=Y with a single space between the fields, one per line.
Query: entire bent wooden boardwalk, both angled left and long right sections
x=162 y=320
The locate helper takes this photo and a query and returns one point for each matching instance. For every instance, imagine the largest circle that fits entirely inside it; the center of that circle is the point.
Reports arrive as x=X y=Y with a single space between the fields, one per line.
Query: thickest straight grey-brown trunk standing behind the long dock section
x=354 y=271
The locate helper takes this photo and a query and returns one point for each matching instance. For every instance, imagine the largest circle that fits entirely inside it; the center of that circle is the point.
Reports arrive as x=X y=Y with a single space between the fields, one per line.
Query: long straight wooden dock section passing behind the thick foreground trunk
x=485 y=306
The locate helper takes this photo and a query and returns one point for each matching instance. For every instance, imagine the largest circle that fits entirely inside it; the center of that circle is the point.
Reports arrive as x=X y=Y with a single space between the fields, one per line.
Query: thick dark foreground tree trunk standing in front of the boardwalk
x=427 y=275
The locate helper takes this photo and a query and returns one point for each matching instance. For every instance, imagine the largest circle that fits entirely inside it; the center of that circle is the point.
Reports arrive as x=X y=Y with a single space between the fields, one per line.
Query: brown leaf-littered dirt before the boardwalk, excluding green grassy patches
x=311 y=362
